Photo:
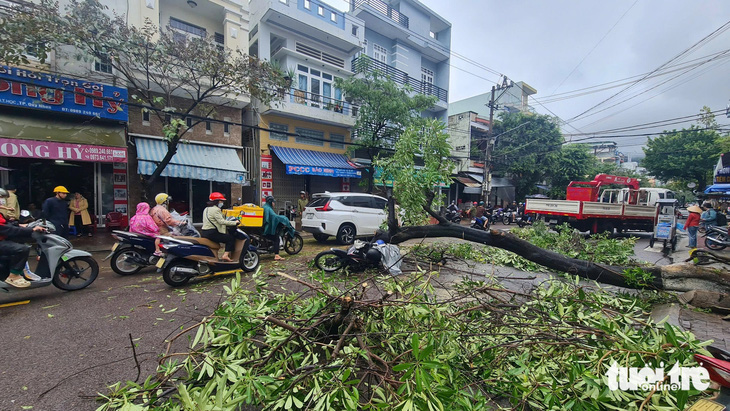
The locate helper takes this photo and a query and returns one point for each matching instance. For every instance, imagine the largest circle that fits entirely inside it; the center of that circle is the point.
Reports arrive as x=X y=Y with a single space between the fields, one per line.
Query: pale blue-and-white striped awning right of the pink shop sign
x=192 y=160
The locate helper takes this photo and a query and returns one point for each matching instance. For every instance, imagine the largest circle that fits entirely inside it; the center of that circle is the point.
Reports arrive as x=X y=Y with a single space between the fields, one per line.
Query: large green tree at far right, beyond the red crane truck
x=687 y=155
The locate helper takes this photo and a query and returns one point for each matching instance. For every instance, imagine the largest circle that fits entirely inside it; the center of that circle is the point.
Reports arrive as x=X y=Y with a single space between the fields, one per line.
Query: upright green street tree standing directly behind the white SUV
x=385 y=110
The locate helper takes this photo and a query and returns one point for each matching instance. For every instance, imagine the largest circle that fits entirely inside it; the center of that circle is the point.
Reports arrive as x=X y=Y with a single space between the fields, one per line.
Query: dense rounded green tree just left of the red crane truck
x=527 y=148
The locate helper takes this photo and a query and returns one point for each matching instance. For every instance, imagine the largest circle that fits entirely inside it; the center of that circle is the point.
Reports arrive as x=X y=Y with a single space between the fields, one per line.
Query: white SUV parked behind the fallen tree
x=344 y=215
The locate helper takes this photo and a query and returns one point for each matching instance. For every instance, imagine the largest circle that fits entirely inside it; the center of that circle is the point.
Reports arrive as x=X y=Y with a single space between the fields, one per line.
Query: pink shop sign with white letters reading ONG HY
x=61 y=151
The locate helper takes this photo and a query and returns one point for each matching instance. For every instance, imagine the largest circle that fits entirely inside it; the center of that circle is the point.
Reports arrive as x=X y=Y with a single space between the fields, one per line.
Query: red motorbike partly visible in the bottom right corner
x=718 y=367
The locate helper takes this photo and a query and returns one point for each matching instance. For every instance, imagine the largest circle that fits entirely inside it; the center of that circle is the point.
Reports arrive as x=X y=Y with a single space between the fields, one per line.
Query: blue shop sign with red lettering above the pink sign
x=43 y=91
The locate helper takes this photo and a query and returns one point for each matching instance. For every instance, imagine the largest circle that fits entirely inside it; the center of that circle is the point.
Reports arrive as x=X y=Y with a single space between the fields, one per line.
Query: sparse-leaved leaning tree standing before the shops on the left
x=170 y=75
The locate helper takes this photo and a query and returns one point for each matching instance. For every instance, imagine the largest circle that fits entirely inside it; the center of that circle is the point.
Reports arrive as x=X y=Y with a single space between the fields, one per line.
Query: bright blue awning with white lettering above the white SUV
x=315 y=163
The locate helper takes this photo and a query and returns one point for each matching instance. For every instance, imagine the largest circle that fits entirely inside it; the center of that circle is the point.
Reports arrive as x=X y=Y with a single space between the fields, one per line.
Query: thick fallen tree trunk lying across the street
x=675 y=277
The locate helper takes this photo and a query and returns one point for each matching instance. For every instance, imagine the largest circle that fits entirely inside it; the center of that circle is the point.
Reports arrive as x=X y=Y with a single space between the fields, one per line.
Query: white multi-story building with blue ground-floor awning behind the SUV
x=303 y=138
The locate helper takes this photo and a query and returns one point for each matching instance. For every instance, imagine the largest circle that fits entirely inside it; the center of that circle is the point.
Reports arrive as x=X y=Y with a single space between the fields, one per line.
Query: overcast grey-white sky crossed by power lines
x=560 y=46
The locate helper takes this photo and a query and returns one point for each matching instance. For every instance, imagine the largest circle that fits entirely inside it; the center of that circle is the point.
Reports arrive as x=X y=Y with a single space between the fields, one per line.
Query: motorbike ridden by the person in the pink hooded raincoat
x=131 y=253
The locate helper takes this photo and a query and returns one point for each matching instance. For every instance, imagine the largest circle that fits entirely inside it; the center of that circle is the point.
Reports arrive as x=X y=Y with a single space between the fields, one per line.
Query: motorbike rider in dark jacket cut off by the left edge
x=17 y=252
